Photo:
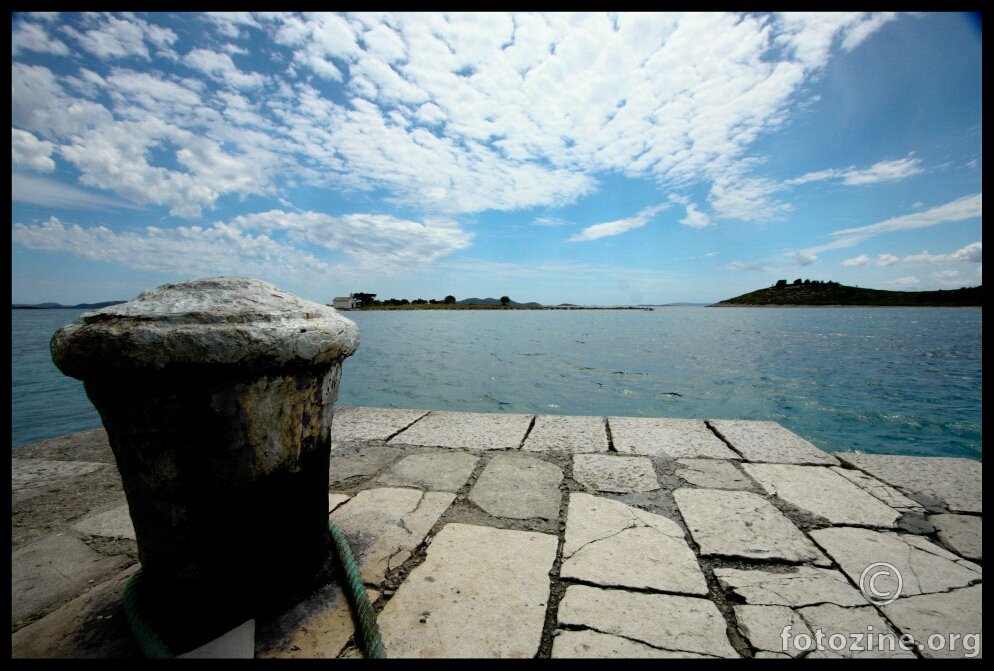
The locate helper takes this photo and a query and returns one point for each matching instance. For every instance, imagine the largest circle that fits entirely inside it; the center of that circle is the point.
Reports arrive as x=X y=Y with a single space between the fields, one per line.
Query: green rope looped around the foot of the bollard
x=154 y=647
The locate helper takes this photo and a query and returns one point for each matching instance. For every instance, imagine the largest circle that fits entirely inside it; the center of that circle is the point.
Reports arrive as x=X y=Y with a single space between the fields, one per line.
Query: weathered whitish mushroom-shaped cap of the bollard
x=216 y=322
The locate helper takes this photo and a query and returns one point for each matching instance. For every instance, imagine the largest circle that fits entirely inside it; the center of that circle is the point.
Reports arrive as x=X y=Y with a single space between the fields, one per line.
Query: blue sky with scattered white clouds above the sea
x=598 y=159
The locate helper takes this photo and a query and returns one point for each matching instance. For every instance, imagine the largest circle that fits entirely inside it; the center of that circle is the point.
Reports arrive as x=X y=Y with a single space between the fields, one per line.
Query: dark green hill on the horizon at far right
x=833 y=293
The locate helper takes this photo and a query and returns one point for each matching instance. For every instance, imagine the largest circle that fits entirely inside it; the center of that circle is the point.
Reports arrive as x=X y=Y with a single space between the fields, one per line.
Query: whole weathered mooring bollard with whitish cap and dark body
x=217 y=395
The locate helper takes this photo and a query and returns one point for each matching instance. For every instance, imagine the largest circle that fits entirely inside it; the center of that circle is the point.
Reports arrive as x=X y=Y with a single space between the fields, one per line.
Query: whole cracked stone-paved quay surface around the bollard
x=523 y=536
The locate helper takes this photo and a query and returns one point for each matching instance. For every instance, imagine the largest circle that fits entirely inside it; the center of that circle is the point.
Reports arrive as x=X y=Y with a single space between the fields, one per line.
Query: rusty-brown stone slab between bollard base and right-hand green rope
x=319 y=627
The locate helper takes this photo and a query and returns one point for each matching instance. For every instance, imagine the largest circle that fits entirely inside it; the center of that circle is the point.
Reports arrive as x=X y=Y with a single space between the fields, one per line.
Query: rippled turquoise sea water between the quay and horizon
x=884 y=380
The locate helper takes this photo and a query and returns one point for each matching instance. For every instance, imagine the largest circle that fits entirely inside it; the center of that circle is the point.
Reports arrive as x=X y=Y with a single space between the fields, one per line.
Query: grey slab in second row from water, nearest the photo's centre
x=519 y=486
